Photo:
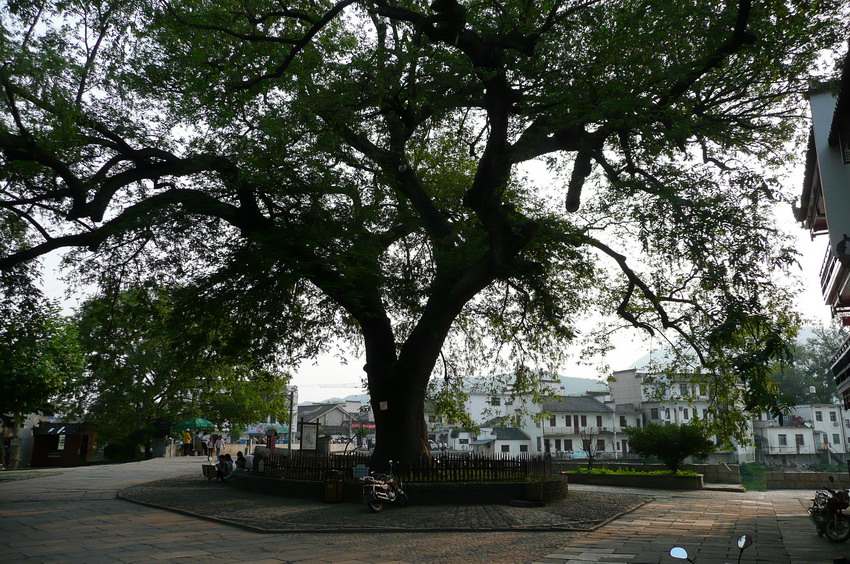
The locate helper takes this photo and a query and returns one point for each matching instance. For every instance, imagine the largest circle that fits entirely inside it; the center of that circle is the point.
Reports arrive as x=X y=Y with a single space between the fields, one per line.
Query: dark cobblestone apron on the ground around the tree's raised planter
x=580 y=511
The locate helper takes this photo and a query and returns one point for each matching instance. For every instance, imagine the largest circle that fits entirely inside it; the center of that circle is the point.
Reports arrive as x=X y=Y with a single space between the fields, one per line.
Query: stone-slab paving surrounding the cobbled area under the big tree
x=75 y=517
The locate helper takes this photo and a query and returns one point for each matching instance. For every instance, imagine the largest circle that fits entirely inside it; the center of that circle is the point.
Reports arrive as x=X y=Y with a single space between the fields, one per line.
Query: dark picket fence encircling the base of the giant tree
x=445 y=467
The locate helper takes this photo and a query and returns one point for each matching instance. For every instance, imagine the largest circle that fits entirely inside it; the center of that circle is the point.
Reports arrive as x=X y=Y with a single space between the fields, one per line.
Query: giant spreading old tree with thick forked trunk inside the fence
x=423 y=179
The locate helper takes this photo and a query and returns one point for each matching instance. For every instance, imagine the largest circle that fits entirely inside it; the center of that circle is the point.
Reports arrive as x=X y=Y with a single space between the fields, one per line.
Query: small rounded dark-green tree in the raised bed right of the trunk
x=672 y=444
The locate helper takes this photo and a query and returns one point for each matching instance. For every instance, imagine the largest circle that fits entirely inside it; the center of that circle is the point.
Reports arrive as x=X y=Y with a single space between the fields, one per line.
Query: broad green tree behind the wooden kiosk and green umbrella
x=147 y=363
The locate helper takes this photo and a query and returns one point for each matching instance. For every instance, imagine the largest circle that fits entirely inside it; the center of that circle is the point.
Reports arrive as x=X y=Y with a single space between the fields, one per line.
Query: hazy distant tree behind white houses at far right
x=810 y=367
